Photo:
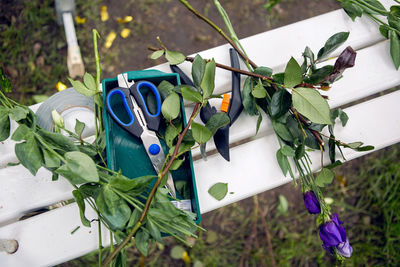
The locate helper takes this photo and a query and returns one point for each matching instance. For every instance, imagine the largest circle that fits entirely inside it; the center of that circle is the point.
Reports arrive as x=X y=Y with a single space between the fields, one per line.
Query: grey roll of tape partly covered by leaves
x=71 y=105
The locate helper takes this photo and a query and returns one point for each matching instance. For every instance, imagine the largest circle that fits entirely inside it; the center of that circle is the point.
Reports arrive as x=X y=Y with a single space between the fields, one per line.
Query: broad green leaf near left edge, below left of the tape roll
x=29 y=154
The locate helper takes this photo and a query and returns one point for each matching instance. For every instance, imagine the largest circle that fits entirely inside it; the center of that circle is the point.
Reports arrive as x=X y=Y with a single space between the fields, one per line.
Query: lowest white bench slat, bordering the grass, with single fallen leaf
x=46 y=240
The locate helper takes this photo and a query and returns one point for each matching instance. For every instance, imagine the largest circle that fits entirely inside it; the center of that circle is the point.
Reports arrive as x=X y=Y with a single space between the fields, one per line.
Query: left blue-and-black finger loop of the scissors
x=119 y=105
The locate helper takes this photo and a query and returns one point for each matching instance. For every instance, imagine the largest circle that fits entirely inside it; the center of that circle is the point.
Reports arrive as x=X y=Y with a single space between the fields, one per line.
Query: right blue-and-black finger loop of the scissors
x=153 y=120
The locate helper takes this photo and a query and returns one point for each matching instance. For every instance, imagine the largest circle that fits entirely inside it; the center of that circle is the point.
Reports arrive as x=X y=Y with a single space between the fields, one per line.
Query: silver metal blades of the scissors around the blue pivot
x=150 y=138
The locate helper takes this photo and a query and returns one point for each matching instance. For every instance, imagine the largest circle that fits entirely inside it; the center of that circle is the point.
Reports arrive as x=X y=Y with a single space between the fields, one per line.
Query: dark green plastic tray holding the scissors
x=125 y=152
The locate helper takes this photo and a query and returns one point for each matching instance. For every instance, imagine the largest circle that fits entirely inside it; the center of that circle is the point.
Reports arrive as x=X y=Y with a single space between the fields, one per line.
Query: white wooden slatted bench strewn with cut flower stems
x=46 y=239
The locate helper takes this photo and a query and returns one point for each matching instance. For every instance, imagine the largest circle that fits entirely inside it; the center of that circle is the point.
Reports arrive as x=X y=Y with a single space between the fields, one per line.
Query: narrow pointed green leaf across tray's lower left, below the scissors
x=135 y=186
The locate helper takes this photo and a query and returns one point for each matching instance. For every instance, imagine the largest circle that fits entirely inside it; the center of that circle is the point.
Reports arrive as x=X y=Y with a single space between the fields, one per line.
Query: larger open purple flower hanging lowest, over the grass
x=334 y=236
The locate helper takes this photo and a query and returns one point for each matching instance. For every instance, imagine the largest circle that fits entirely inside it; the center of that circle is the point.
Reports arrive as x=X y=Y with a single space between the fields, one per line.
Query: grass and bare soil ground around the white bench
x=365 y=193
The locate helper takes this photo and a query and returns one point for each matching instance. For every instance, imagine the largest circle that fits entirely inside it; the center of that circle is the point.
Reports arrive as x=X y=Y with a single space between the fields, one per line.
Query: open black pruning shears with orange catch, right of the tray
x=233 y=109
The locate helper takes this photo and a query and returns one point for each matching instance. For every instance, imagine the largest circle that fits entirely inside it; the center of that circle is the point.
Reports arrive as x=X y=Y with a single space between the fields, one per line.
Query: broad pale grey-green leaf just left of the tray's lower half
x=78 y=168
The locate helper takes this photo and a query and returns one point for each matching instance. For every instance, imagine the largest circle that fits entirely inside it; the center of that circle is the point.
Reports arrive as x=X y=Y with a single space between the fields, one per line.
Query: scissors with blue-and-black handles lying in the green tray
x=136 y=118
